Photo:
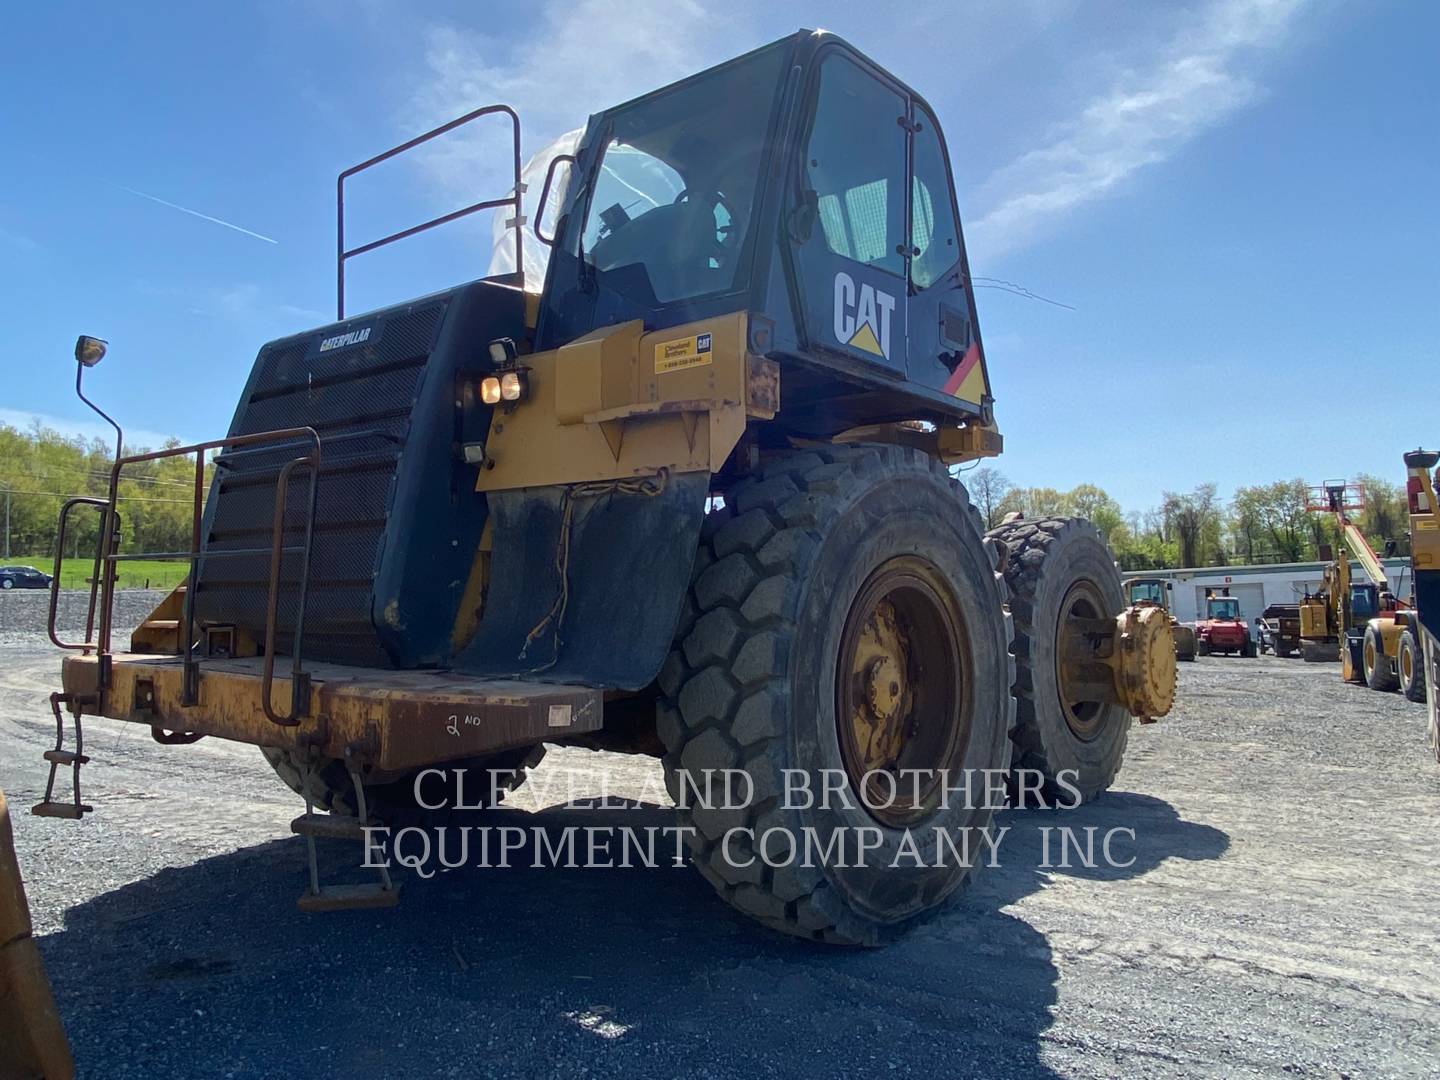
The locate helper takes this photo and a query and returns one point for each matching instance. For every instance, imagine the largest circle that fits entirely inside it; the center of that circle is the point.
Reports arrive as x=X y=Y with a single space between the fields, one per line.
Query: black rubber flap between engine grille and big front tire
x=587 y=581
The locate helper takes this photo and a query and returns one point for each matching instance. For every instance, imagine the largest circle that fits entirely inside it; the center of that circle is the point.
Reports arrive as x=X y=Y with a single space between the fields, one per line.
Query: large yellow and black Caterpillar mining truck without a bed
x=690 y=499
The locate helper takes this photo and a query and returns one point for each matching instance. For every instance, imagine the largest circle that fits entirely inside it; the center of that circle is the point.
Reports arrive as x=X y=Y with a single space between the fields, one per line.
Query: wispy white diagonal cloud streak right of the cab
x=1199 y=81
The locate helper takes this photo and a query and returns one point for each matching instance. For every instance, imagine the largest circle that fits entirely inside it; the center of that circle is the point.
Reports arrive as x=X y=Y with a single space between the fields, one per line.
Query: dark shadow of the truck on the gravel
x=210 y=970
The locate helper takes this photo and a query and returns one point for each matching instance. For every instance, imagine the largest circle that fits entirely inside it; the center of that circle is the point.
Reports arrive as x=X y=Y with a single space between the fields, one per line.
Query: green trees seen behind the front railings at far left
x=41 y=469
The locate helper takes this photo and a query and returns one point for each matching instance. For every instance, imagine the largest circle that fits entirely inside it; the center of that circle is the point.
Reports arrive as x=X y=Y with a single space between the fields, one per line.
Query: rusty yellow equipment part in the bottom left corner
x=32 y=1039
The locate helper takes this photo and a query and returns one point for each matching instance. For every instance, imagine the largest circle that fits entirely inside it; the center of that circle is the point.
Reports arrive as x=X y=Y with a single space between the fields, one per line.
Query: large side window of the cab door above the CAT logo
x=855 y=163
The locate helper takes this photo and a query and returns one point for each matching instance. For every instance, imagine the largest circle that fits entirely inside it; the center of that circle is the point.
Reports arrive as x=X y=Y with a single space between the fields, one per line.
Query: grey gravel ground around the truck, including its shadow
x=1281 y=918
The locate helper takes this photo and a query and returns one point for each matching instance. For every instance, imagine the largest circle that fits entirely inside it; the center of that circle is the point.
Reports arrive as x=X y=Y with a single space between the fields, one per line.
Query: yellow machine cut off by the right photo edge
x=1419 y=653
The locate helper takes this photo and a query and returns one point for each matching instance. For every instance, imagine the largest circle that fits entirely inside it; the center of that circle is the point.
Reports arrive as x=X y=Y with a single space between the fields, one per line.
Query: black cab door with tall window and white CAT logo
x=850 y=254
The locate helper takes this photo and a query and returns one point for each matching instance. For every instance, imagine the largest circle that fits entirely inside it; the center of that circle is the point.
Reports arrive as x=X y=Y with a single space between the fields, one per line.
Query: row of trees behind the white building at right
x=1265 y=523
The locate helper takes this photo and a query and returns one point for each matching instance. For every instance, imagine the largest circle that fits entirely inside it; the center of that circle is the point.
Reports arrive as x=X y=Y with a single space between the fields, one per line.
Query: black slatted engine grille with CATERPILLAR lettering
x=361 y=401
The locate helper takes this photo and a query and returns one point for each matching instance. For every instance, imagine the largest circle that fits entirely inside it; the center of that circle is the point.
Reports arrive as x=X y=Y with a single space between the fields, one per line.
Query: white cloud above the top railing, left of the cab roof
x=578 y=60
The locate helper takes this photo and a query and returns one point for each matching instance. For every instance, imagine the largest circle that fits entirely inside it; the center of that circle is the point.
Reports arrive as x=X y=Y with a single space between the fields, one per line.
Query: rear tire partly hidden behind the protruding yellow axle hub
x=1058 y=568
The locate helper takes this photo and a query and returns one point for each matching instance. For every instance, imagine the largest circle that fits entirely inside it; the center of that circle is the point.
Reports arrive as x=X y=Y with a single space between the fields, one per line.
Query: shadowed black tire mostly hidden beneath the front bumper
x=394 y=803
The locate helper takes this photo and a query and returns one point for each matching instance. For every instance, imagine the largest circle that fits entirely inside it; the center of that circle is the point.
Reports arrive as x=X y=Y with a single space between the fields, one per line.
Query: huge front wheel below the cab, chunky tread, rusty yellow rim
x=800 y=567
